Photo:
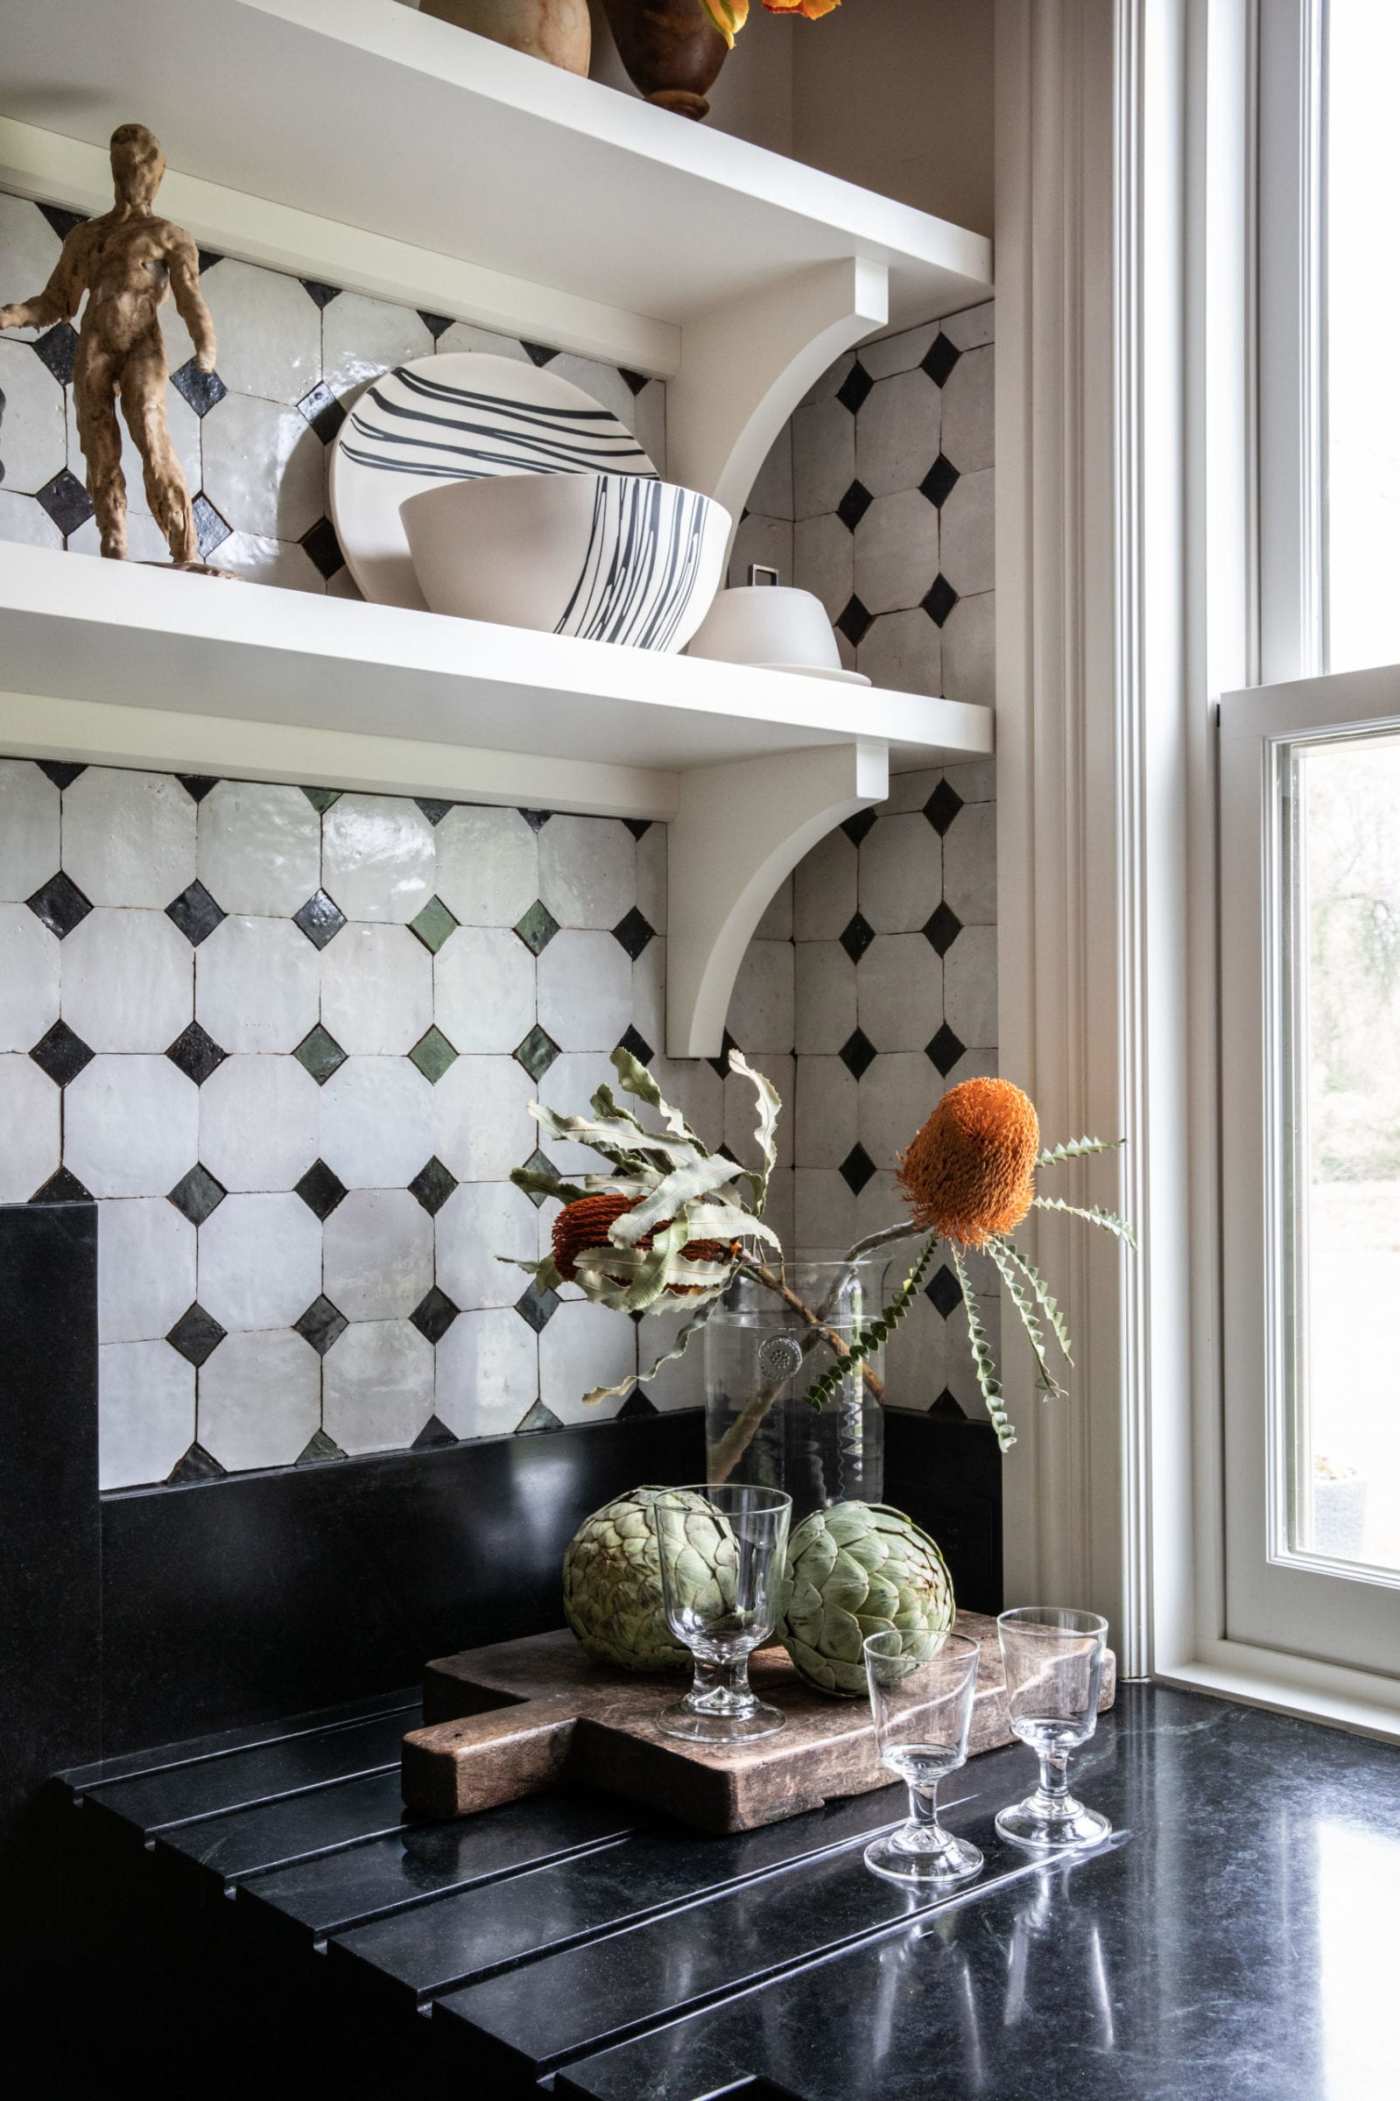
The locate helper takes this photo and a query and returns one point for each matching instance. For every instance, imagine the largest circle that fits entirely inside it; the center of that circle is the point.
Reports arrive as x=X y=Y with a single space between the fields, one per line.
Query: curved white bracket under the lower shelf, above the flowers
x=739 y=833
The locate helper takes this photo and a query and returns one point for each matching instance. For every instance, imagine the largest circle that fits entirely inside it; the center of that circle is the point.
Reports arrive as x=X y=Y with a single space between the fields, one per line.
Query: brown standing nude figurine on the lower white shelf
x=127 y=262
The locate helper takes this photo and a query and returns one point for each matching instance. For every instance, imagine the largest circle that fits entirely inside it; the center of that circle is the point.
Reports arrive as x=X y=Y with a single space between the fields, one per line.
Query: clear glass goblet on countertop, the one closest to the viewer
x=922 y=1709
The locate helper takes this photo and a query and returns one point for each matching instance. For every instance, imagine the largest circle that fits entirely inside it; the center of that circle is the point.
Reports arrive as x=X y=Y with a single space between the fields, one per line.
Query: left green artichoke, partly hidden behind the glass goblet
x=613 y=1589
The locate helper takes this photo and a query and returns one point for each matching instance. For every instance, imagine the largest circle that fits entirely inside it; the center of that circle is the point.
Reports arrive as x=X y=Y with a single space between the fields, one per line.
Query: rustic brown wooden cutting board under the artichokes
x=527 y=1715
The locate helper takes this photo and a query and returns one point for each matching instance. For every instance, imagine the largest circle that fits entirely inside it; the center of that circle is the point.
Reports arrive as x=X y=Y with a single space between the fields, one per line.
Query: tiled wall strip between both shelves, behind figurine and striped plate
x=255 y=434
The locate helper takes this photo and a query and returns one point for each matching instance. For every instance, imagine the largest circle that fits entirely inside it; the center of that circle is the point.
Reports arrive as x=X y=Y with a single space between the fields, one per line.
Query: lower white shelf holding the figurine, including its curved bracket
x=131 y=665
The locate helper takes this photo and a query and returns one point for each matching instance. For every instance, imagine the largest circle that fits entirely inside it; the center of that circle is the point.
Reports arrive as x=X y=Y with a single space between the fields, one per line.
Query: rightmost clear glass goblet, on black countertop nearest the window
x=1054 y=1663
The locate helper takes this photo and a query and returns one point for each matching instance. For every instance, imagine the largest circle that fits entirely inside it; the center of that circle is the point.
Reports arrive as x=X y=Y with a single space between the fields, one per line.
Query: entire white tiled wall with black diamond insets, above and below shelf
x=289 y=1039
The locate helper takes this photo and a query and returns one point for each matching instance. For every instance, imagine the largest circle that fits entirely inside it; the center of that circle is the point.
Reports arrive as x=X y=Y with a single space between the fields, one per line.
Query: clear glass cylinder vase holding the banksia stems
x=764 y=1350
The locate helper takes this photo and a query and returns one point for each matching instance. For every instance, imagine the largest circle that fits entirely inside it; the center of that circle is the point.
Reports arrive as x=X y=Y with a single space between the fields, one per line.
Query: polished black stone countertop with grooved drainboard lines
x=1233 y=1942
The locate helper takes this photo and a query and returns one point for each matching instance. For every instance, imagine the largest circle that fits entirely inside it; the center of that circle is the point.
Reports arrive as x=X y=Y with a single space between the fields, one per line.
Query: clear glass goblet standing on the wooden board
x=722 y=1558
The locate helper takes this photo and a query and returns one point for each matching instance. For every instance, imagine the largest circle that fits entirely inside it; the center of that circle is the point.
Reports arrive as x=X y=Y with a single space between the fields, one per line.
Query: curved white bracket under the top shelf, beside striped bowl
x=745 y=369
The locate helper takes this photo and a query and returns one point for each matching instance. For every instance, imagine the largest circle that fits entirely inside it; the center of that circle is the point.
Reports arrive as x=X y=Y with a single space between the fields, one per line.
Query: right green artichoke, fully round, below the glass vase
x=857 y=1570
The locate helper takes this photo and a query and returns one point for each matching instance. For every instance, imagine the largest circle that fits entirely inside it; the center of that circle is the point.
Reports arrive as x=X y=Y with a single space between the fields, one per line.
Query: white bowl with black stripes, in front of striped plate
x=609 y=558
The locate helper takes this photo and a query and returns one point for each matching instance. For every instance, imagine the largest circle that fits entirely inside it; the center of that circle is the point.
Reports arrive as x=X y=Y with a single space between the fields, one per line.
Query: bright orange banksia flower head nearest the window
x=970 y=1173
